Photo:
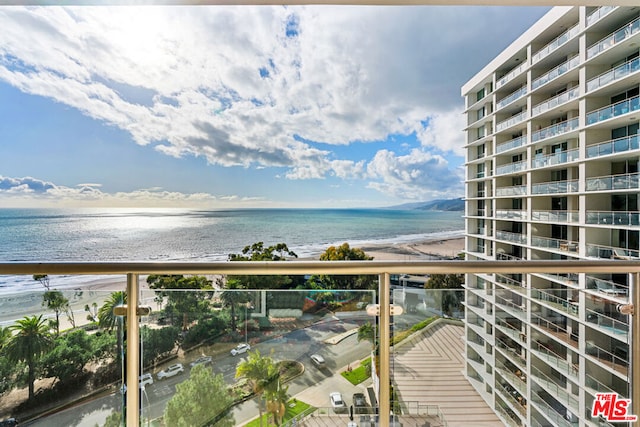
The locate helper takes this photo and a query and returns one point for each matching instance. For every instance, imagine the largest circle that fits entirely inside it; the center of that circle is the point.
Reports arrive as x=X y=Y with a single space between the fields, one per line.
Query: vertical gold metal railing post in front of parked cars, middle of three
x=385 y=344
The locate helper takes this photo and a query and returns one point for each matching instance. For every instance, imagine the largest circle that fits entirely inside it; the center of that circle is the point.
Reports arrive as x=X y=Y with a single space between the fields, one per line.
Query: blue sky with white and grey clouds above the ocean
x=240 y=107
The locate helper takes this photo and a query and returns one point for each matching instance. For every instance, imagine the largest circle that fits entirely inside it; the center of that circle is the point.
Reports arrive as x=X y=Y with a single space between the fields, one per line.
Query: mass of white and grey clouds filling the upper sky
x=227 y=84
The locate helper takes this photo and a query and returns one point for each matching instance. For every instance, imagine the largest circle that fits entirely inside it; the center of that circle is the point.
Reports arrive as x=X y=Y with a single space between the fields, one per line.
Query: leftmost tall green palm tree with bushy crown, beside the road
x=30 y=341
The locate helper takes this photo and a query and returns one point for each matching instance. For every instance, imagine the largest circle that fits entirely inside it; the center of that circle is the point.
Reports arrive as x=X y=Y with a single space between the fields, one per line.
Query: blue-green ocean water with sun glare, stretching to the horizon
x=47 y=235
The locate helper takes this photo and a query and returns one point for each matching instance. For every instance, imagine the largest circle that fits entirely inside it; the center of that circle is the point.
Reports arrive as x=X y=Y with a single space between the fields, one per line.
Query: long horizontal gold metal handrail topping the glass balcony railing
x=323 y=267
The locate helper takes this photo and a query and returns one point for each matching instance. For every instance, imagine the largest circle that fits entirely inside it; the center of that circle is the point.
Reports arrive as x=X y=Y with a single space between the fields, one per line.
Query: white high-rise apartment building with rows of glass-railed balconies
x=552 y=145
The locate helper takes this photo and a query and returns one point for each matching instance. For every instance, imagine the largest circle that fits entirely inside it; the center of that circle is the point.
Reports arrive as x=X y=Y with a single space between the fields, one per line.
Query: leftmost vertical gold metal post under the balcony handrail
x=133 y=351
